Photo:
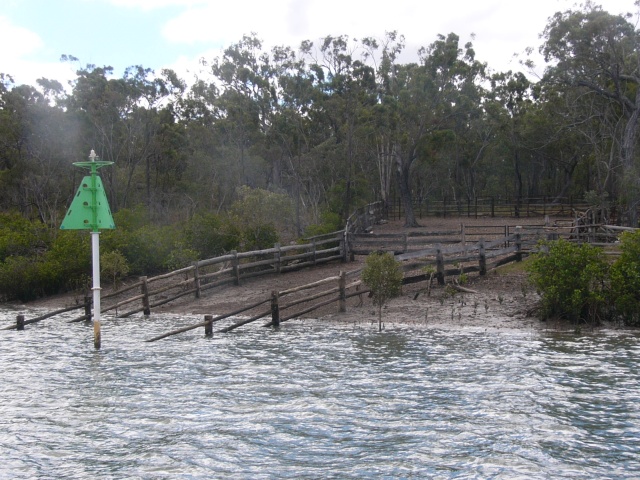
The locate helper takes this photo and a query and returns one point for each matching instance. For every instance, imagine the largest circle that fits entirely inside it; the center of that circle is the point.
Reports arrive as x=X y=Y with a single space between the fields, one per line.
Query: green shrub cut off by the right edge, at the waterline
x=625 y=280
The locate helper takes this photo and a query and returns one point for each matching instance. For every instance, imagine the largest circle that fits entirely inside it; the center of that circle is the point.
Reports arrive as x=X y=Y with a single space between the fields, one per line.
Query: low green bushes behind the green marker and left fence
x=36 y=260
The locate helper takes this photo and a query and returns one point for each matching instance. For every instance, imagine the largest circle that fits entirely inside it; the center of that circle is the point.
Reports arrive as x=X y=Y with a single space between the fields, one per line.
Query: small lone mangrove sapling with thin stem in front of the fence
x=383 y=276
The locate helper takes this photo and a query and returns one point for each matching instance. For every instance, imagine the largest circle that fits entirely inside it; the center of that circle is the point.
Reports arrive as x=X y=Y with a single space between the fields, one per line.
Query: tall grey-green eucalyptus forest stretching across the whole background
x=335 y=123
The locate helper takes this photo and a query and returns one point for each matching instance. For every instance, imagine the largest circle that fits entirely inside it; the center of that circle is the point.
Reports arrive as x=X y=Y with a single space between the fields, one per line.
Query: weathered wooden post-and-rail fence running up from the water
x=424 y=256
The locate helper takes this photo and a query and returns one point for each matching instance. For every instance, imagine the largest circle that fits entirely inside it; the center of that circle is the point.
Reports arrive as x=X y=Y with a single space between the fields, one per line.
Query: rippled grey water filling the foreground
x=316 y=401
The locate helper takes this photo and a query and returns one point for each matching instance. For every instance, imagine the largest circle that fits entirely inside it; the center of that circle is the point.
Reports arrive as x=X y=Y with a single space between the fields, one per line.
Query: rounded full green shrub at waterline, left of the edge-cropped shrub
x=572 y=280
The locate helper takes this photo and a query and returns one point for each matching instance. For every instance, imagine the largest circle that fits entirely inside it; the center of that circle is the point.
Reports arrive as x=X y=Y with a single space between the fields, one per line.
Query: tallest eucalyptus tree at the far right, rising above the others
x=597 y=54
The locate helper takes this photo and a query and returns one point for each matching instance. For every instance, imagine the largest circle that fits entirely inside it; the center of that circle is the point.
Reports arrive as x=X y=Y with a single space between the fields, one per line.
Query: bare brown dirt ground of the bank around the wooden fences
x=502 y=298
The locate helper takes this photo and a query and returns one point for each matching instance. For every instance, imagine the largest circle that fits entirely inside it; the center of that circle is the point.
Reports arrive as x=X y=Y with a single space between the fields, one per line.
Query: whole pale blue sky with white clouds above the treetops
x=176 y=34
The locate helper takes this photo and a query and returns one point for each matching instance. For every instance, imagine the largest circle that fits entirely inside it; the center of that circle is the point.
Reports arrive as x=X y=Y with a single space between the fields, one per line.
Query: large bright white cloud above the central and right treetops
x=501 y=27
